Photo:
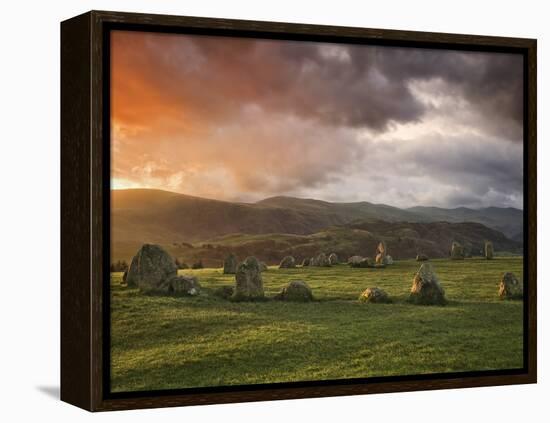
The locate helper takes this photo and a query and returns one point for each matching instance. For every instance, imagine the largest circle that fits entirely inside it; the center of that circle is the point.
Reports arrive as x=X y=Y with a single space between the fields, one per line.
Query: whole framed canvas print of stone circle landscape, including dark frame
x=256 y=211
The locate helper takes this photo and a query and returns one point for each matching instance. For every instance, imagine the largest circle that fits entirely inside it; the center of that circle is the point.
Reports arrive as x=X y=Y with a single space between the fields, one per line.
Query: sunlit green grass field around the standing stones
x=168 y=342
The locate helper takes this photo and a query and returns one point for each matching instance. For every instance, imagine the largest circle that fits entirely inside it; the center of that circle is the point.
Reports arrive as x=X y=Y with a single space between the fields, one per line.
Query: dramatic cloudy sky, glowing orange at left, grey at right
x=243 y=119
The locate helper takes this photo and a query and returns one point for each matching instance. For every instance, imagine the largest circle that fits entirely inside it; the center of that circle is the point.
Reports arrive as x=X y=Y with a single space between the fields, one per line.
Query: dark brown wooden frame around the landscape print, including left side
x=85 y=208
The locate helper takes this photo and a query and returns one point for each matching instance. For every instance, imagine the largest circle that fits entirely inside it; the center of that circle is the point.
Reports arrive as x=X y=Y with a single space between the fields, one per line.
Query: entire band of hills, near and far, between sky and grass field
x=178 y=220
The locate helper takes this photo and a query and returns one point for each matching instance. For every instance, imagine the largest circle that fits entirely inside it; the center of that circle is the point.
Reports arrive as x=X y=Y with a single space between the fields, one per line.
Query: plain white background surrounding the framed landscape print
x=29 y=228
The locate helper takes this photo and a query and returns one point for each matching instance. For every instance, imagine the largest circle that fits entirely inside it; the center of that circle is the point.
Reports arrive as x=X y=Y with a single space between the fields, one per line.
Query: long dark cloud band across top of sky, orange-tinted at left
x=349 y=85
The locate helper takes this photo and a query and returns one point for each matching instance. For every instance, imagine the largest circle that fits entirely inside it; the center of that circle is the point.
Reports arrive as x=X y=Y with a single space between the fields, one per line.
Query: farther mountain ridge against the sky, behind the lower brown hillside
x=144 y=215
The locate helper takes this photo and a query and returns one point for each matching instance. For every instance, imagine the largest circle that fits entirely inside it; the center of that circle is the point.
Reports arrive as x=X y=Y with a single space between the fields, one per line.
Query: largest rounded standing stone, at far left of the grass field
x=150 y=267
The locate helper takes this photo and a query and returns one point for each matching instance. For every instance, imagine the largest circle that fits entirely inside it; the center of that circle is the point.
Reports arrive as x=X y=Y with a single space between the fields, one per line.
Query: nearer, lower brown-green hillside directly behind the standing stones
x=403 y=240
